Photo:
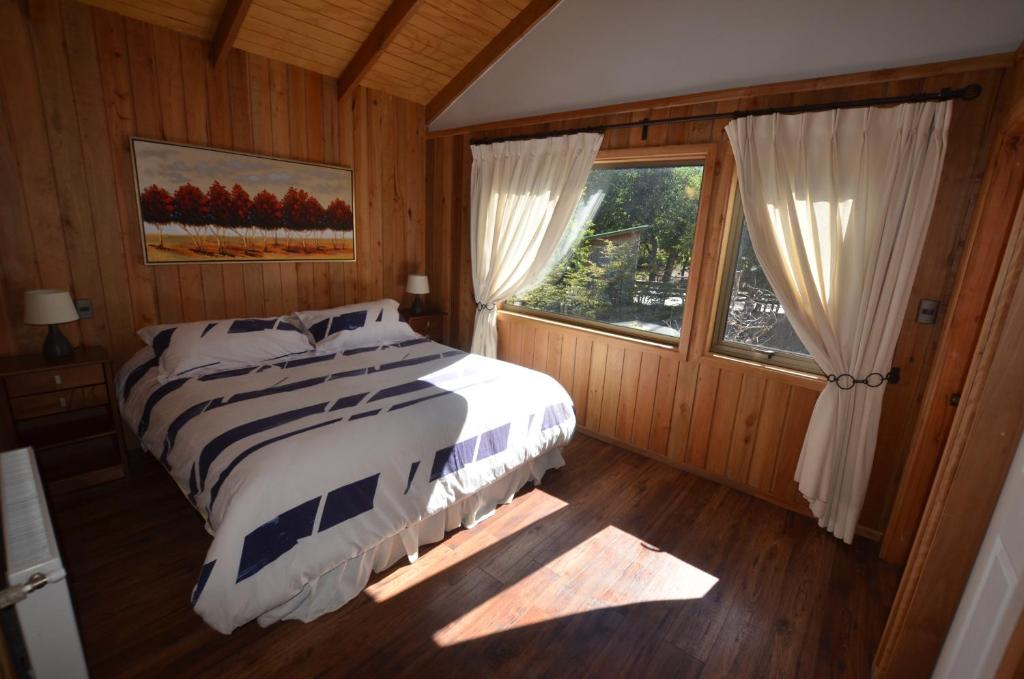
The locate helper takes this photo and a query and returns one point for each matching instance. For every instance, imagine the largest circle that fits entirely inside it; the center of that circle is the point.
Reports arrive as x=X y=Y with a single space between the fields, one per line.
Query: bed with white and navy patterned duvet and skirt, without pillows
x=316 y=472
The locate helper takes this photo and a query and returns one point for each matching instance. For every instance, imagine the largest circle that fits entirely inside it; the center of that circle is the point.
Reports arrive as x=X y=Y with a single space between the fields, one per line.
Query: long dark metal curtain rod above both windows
x=966 y=94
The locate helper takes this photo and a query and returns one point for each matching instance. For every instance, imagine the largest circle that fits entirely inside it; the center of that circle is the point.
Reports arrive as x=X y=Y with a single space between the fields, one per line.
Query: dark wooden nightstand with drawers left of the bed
x=68 y=413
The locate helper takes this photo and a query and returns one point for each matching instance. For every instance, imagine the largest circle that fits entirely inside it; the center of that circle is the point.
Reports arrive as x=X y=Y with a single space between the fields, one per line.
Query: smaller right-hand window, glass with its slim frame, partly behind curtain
x=752 y=324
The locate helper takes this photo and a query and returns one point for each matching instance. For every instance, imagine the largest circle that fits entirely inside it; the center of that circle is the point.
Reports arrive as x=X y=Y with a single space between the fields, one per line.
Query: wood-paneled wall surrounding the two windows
x=731 y=436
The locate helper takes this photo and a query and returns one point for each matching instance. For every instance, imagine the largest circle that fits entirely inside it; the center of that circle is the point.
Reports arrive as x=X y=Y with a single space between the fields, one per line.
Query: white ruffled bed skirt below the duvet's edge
x=340 y=585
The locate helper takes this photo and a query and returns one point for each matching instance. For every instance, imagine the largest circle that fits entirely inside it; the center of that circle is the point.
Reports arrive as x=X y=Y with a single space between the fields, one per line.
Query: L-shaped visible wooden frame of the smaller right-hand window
x=719 y=346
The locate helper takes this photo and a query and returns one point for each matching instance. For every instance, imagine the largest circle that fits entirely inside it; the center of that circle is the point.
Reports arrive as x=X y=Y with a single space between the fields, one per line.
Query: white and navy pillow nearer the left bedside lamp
x=209 y=347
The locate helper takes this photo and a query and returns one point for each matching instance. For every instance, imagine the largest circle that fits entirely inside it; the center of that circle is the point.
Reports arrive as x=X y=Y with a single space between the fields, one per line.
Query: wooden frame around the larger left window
x=703 y=154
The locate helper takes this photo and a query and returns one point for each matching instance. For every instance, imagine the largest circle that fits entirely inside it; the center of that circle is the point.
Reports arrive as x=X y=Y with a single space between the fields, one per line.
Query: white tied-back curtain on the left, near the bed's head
x=524 y=196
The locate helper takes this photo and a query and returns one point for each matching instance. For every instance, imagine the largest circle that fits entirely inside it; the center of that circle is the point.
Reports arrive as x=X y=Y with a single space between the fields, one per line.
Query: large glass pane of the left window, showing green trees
x=632 y=265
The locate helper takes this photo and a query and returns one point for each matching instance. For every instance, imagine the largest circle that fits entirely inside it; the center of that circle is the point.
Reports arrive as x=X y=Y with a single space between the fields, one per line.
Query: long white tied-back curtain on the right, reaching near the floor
x=838 y=205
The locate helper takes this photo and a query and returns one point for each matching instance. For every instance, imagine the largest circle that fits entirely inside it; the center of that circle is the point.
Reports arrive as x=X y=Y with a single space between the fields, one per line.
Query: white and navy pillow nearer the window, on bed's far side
x=357 y=326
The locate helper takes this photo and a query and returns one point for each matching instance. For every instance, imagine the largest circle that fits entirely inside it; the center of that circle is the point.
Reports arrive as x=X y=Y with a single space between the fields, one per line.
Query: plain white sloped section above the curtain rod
x=594 y=53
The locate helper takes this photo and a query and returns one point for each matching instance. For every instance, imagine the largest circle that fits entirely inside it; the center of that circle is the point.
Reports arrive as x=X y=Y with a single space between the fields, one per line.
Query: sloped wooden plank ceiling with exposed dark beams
x=428 y=52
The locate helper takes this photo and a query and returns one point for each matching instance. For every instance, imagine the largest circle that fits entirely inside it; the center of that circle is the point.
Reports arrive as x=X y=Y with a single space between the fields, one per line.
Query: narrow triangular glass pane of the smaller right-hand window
x=755 y=317
